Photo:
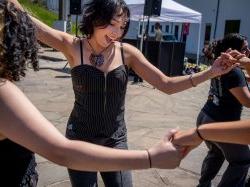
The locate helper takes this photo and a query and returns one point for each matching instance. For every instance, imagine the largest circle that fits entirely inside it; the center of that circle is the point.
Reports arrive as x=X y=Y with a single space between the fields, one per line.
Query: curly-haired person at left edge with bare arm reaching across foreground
x=23 y=129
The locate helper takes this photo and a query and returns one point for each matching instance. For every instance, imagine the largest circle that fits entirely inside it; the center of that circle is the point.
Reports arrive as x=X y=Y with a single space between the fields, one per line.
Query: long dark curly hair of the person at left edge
x=19 y=45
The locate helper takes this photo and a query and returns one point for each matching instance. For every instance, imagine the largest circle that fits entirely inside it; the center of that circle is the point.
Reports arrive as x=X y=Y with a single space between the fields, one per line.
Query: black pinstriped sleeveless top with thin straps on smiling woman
x=99 y=102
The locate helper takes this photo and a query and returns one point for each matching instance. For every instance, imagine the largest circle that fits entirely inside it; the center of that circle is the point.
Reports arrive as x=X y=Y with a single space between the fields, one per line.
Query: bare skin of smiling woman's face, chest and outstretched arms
x=106 y=38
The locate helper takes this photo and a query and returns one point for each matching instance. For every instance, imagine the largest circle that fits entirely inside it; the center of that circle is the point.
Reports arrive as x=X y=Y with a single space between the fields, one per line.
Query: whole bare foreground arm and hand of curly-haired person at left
x=24 y=124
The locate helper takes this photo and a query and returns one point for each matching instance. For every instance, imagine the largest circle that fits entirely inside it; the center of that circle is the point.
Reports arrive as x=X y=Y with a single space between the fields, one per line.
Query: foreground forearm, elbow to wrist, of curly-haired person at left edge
x=89 y=157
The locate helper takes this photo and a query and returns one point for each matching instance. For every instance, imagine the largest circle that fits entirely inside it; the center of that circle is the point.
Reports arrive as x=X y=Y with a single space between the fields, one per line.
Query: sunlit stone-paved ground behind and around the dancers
x=149 y=114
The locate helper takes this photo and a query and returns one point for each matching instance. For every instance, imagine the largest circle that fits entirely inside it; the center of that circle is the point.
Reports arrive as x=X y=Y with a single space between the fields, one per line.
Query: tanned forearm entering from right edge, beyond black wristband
x=231 y=132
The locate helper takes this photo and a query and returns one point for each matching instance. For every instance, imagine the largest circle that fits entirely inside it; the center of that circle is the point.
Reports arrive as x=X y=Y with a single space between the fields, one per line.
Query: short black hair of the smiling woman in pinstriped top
x=100 y=13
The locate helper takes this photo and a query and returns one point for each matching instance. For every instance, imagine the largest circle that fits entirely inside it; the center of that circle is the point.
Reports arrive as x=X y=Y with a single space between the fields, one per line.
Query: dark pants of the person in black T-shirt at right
x=237 y=155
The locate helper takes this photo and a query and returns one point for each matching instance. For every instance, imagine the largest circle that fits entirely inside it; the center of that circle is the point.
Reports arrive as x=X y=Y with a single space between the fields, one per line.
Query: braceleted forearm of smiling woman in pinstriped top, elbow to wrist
x=173 y=85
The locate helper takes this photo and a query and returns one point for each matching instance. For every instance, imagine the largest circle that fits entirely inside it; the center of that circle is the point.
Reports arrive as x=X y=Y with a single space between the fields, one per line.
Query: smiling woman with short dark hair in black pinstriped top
x=99 y=68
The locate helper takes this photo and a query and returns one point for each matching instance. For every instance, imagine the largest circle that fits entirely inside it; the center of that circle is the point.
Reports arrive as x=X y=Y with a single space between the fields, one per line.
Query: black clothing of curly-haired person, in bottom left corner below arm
x=17 y=165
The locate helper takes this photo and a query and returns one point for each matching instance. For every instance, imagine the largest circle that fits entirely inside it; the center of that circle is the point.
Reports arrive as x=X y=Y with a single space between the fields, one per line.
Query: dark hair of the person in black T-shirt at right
x=234 y=41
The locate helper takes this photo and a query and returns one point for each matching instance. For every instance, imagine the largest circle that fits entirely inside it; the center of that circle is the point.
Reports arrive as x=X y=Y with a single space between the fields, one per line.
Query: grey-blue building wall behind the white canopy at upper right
x=228 y=10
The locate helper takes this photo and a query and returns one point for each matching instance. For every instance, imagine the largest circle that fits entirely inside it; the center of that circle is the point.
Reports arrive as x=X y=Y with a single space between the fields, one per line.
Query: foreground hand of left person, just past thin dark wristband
x=165 y=155
